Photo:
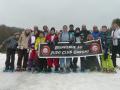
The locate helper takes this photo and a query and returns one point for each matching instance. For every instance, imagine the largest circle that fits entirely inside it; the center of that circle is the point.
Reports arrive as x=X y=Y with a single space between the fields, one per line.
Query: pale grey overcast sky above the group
x=27 y=13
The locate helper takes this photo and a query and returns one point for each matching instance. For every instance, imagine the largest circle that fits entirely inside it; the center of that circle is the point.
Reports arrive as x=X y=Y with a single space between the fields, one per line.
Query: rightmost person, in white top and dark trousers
x=115 y=40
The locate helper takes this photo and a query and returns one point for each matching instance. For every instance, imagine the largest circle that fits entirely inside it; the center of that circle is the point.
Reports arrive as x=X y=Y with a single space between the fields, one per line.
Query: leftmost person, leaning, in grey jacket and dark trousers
x=11 y=46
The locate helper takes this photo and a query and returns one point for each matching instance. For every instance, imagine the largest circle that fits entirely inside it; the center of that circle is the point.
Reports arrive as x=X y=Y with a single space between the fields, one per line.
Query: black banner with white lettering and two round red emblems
x=65 y=49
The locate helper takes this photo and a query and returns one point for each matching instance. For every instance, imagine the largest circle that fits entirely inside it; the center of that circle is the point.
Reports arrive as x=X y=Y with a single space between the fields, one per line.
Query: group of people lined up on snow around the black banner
x=26 y=44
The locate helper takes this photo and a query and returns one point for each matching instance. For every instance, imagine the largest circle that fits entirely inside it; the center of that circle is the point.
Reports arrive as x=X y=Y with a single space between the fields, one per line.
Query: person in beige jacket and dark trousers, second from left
x=23 y=50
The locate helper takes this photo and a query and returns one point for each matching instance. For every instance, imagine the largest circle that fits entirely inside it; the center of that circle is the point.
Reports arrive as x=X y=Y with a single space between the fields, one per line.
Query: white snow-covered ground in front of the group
x=55 y=81
